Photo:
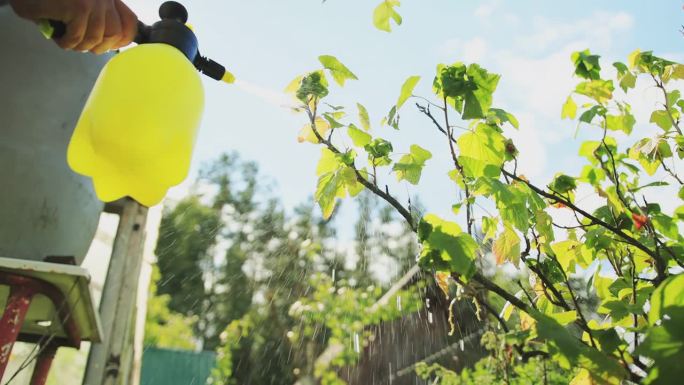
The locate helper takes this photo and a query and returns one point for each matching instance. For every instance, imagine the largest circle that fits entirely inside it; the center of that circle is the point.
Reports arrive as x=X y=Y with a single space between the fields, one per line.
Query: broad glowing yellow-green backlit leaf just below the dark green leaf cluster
x=482 y=151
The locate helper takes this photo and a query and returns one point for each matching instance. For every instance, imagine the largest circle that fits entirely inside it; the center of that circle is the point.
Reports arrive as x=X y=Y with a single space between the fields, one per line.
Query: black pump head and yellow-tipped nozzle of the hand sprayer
x=171 y=30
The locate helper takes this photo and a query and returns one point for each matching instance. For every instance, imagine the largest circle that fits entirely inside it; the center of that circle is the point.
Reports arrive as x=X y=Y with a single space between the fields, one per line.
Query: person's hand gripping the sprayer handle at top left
x=91 y=25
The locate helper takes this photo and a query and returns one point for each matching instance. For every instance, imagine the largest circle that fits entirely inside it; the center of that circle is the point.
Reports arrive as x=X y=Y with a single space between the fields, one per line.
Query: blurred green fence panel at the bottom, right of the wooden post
x=175 y=367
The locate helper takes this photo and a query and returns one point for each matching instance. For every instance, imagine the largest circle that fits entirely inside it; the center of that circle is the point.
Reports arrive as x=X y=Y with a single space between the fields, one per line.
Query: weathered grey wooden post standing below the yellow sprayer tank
x=119 y=295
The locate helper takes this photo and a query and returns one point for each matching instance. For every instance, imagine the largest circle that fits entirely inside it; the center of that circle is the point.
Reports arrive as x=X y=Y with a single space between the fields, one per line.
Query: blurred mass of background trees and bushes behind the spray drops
x=237 y=265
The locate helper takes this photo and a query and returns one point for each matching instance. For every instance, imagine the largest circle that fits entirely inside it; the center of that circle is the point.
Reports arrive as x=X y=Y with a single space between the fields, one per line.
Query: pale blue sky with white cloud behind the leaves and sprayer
x=267 y=43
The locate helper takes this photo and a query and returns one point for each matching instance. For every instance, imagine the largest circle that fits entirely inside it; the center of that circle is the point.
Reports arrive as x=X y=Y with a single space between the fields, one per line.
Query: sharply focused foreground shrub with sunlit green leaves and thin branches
x=625 y=257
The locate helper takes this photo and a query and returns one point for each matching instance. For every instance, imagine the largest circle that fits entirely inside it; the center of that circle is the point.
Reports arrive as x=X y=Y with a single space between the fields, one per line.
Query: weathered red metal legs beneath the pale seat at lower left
x=22 y=291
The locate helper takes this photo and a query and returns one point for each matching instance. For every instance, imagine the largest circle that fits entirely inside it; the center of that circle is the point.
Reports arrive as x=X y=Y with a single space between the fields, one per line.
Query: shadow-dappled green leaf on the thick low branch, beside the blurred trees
x=446 y=247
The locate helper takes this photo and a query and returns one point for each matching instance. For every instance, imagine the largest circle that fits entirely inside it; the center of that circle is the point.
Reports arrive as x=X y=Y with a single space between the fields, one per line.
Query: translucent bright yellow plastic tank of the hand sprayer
x=137 y=130
